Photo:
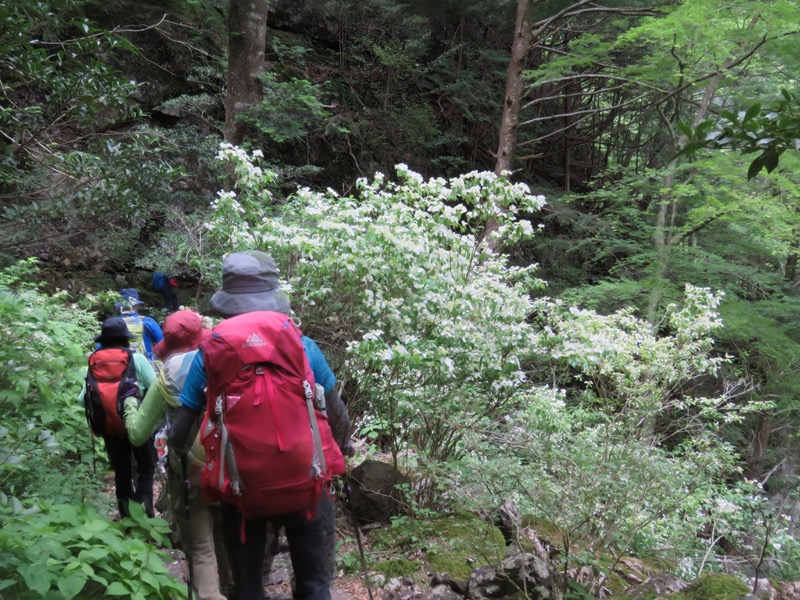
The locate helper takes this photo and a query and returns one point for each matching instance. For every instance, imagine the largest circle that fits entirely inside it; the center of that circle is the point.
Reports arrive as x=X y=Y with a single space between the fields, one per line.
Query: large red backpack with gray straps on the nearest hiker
x=269 y=451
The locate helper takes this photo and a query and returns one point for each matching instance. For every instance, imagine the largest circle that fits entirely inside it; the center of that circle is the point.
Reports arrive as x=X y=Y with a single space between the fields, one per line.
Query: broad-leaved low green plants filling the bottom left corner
x=68 y=551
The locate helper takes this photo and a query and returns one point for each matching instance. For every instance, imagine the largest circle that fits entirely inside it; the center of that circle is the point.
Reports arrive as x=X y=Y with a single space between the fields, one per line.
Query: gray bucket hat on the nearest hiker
x=249 y=283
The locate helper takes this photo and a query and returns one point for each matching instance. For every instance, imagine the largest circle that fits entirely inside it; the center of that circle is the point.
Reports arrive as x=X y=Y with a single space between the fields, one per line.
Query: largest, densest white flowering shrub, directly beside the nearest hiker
x=400 y=275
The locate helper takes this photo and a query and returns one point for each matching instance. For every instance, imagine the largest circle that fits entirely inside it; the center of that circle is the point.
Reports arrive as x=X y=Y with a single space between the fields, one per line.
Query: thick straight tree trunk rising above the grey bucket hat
x=247 y=32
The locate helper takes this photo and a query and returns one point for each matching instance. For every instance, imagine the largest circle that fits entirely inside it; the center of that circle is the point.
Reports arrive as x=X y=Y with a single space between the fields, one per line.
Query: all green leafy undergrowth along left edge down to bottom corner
x=54 y=543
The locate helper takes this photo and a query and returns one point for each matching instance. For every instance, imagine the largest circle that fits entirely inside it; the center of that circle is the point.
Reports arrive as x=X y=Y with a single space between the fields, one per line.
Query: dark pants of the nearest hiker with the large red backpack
x=308 y=548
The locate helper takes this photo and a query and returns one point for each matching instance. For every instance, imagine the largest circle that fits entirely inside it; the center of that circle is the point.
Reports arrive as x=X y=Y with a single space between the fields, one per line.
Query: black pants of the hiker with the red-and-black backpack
x=120 y=453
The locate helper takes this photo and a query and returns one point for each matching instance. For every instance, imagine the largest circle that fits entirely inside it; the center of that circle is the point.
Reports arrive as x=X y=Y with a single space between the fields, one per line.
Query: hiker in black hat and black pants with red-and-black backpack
x=108 y=378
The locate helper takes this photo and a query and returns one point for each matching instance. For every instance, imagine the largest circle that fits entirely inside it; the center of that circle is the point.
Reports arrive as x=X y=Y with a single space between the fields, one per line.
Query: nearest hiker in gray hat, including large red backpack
x=255 y=309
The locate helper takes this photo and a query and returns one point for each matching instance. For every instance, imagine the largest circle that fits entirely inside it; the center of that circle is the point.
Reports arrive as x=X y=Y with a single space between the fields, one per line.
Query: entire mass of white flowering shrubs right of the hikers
x=448 y=358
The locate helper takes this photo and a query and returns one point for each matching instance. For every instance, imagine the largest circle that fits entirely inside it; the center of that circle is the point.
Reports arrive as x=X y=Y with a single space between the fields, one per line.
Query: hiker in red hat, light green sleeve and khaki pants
x=201 y=535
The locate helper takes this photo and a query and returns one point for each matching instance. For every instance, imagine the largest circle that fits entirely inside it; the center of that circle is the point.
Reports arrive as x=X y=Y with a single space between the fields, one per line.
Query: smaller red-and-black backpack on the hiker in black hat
x=110 y=379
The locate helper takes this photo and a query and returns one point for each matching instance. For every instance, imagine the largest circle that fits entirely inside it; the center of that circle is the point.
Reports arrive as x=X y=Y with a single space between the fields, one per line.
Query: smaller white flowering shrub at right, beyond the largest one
x=636 y=374
